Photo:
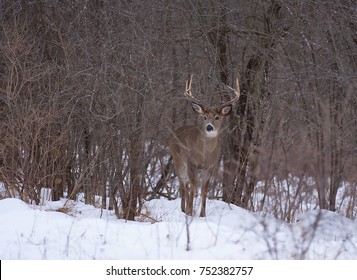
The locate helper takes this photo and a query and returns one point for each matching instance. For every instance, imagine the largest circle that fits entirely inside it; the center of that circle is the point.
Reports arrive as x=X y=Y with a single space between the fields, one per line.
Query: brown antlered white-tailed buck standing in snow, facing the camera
x=196 y=149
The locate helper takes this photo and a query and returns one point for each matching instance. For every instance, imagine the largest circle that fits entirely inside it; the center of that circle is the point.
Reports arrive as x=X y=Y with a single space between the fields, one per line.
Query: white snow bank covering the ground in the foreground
x=77 y=231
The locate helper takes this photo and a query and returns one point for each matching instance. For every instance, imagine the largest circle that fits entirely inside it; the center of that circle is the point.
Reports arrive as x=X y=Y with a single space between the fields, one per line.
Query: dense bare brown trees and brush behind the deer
x=91 y=91
